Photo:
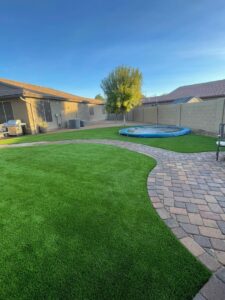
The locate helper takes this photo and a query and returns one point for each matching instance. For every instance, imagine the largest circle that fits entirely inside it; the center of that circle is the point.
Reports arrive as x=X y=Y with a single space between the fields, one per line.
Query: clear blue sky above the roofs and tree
x=72 y=45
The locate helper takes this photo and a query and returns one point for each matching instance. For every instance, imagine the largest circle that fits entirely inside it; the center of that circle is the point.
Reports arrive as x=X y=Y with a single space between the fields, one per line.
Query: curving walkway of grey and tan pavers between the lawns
x=188 y=193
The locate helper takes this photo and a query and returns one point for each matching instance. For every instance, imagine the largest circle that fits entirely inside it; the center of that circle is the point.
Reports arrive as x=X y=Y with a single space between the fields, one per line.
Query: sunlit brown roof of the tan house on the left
x=11 y=88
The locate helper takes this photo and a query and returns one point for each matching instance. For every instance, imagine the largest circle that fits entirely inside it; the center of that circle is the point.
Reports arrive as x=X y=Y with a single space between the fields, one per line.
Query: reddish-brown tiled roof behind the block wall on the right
x=205 y=90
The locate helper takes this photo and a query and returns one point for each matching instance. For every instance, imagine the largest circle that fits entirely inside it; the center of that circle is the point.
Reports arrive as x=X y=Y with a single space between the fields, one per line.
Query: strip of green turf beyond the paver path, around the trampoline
x=187 y=143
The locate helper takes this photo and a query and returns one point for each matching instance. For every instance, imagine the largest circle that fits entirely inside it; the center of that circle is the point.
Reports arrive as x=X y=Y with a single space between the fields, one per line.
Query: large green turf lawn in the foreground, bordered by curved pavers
x=76 y=223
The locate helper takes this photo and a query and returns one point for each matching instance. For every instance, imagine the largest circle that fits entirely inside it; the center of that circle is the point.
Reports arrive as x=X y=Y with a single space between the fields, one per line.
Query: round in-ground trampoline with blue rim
x=150 y=131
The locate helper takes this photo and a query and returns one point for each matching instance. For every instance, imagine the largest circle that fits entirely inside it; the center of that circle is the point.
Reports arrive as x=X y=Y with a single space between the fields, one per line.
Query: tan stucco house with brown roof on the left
x=42 y=107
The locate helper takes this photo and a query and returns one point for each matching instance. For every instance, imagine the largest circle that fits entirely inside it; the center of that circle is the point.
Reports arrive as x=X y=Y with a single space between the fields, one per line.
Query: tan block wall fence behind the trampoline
x=206 y=115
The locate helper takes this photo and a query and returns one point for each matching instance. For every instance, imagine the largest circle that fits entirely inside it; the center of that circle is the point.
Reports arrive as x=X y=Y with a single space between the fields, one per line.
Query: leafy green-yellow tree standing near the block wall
x=122 y=88
